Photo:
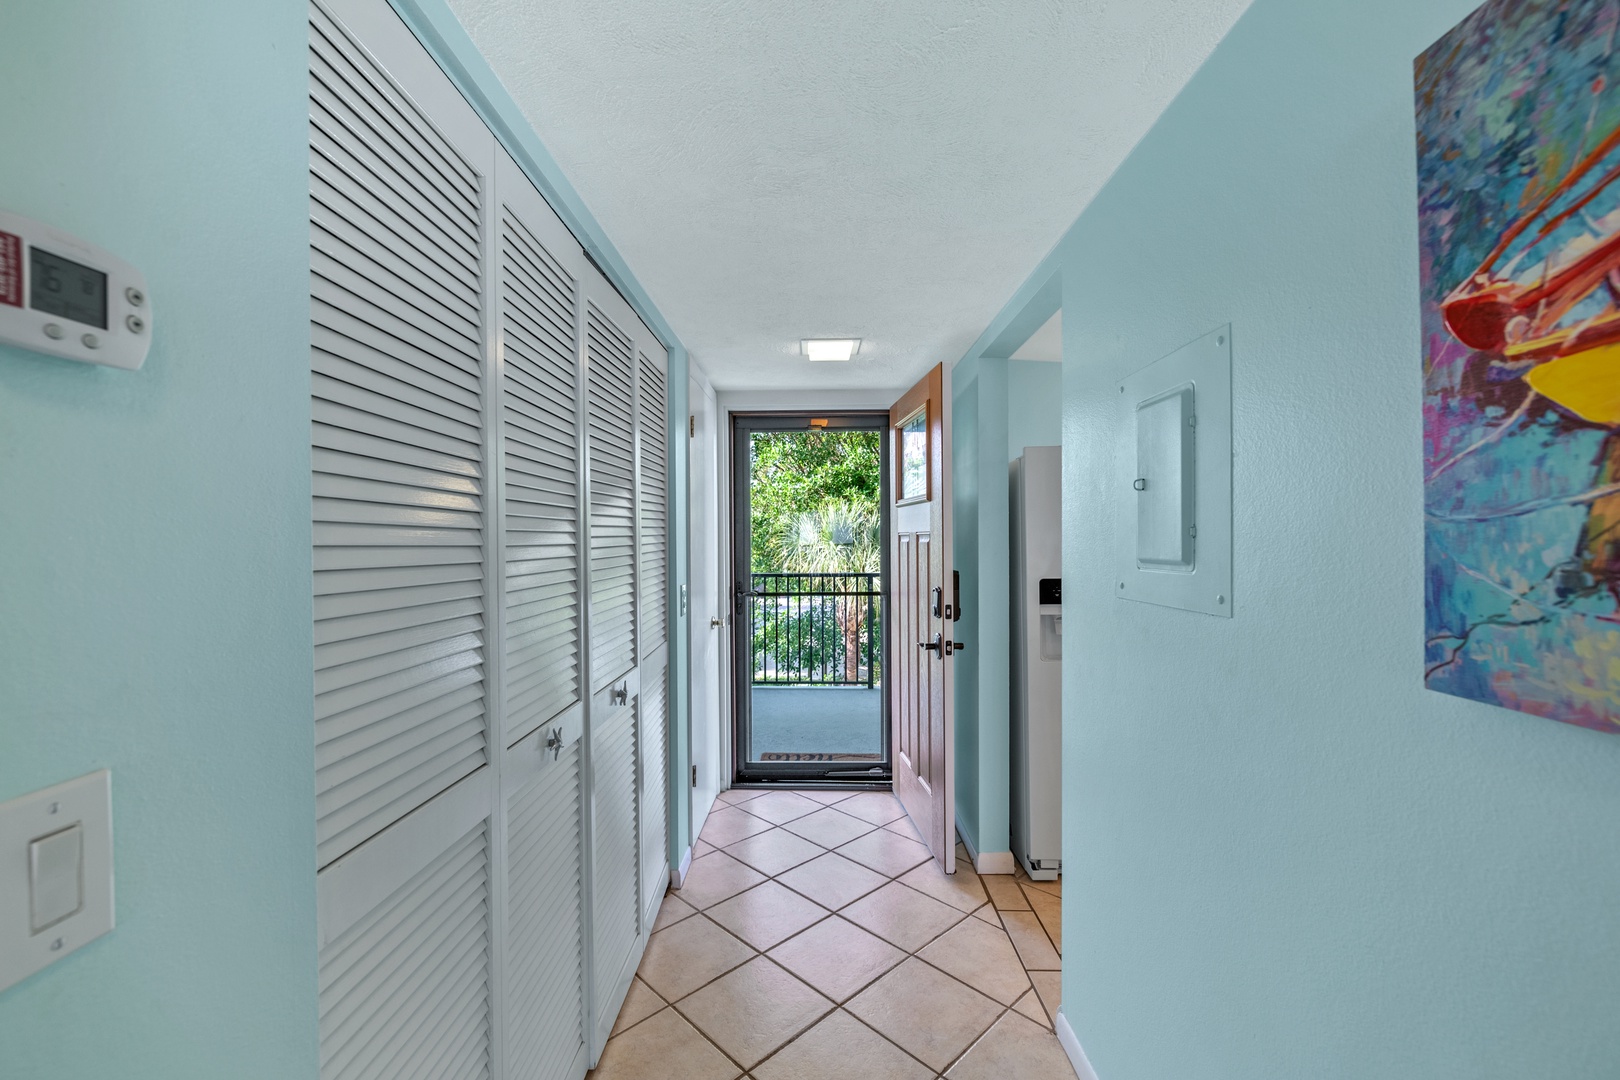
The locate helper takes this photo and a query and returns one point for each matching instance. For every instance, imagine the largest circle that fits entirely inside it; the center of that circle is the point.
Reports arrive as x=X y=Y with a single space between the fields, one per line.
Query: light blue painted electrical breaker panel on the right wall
x=1174 y=487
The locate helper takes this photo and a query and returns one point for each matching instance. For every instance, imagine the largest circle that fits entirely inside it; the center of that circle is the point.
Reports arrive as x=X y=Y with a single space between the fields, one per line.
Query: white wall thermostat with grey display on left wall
x=67 y=299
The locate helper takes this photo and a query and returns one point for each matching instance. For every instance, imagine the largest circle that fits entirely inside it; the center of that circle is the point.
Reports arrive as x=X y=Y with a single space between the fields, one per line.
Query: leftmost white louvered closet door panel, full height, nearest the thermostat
x=407 y=844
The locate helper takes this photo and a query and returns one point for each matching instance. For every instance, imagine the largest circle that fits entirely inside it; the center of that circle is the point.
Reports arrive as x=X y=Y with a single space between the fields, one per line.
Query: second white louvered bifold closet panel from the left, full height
x=544 y=702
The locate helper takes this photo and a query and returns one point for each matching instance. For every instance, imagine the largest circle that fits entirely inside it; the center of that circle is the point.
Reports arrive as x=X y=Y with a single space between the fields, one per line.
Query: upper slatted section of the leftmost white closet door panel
x=398 y=456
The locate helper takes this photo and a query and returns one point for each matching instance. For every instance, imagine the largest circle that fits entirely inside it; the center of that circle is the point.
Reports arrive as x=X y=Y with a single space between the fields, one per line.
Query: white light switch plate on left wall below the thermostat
x=87 y=804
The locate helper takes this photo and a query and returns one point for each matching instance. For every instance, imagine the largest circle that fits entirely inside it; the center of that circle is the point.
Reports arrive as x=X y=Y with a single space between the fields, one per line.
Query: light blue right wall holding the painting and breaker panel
x=1285 y=857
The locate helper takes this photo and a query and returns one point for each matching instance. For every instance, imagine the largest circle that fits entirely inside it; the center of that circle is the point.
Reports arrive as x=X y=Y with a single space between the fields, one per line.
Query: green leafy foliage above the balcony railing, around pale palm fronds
x=803 y=474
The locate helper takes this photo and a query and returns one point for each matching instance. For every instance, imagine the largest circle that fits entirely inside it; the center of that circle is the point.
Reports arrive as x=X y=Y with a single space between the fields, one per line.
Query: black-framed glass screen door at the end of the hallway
x=811 y=571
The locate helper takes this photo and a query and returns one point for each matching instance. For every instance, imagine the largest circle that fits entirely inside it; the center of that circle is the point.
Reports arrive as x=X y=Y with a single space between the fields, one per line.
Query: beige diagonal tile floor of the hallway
x=816 y=940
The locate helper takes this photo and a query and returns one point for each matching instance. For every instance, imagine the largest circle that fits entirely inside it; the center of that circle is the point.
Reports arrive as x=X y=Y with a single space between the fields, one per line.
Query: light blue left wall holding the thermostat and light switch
x=155 y=537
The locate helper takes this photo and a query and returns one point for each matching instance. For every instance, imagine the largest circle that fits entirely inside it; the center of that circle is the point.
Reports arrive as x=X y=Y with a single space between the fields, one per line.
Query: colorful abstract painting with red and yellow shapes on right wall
x=1519 y=202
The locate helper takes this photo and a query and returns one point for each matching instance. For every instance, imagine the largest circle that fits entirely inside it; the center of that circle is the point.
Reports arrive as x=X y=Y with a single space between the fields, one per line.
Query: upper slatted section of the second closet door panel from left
x=542 y=482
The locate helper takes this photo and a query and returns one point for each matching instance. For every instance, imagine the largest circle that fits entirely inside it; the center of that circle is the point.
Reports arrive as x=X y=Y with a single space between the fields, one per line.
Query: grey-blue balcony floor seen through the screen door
x=817 y=723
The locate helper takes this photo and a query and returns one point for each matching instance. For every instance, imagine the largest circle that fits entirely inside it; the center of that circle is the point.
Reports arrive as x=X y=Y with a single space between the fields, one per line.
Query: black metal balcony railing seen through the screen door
x=817 y=629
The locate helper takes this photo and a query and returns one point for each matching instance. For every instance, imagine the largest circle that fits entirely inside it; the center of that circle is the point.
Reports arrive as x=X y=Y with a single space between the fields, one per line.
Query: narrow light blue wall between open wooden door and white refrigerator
x=999 y=409
